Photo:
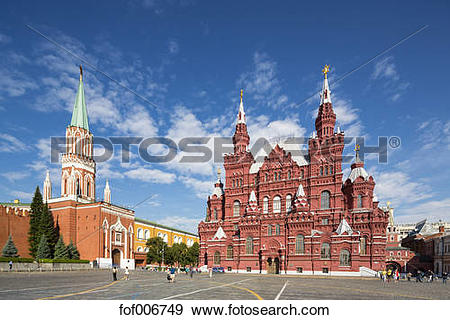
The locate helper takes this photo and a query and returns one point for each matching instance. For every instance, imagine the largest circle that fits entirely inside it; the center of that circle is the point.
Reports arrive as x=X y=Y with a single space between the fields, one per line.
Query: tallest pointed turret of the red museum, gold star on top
x=326 y=118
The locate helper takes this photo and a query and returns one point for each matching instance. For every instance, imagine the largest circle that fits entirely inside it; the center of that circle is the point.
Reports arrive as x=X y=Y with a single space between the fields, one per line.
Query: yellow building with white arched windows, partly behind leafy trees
x=144 y=229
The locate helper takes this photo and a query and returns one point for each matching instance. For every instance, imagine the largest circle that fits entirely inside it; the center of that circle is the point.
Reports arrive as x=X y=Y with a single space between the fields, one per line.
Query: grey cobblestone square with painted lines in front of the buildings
x=97 y=284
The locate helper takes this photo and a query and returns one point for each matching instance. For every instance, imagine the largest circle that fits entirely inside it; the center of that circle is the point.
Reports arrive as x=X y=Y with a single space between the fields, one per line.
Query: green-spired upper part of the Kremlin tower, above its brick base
x=78 y=165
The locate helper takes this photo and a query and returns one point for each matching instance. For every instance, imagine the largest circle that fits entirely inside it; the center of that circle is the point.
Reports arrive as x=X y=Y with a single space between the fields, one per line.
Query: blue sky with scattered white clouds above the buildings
x=191 y=58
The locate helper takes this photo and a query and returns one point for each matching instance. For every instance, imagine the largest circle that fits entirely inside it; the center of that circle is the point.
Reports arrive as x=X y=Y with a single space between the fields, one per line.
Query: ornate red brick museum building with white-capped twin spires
x=294 y=213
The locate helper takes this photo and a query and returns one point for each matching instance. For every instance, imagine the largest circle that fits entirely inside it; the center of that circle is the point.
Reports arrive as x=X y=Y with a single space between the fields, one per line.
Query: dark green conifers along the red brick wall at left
x=44 y=239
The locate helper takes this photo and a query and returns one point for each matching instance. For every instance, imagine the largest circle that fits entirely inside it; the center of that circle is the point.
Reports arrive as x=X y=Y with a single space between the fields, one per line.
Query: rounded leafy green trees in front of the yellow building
x=179 y=254
